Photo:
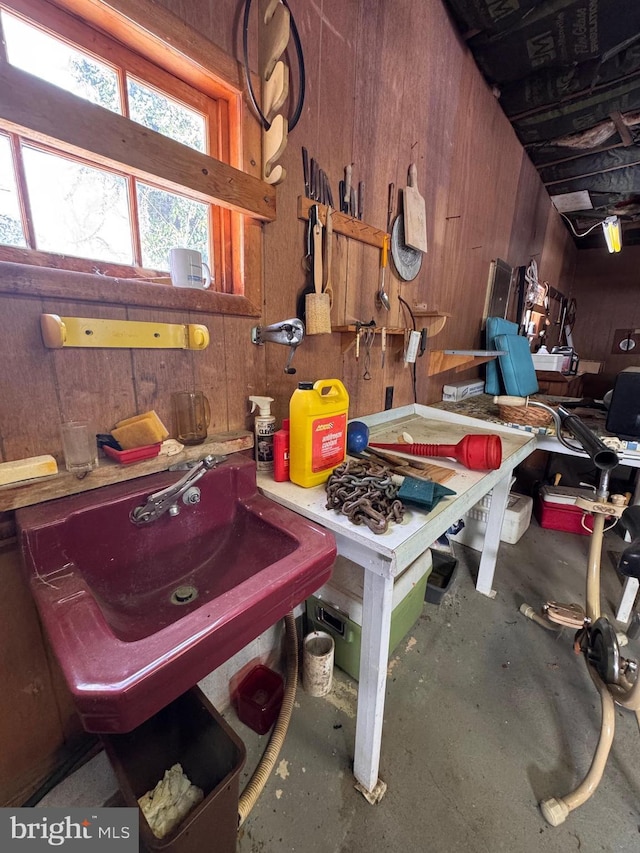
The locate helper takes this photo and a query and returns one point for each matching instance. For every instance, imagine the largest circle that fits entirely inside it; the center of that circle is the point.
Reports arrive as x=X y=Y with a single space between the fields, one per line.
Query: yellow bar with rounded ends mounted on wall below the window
x=58 y=332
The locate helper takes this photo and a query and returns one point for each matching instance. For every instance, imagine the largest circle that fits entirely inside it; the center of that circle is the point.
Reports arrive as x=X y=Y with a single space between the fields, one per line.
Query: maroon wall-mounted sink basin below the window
x=136 y=615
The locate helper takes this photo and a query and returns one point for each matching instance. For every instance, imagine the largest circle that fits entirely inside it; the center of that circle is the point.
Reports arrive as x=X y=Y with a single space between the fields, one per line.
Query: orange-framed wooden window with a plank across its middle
x=85 y=186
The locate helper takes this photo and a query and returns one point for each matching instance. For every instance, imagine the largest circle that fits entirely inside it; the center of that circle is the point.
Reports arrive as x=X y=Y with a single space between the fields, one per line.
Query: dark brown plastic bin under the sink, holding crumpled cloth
x=191 y=732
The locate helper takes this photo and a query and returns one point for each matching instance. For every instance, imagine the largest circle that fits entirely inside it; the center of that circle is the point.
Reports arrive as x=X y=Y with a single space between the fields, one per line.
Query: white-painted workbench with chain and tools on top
x=386 y=556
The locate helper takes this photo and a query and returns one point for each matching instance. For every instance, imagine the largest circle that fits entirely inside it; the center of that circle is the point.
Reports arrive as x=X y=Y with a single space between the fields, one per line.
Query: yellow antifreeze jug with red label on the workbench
x=317 y=431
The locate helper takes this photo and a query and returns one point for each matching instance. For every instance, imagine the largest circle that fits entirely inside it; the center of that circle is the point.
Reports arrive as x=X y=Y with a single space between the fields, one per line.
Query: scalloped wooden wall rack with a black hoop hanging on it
x=275 y=25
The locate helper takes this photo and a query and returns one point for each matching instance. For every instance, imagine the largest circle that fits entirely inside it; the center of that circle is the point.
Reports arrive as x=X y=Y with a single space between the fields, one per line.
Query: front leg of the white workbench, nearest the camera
x=377 y=604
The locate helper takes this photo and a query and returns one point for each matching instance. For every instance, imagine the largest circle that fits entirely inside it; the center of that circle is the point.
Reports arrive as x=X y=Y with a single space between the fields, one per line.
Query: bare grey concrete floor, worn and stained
x=486 y=713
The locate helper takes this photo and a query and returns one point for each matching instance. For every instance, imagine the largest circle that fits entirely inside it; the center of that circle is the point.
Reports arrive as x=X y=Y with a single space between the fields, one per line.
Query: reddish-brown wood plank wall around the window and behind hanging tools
x=388 y=83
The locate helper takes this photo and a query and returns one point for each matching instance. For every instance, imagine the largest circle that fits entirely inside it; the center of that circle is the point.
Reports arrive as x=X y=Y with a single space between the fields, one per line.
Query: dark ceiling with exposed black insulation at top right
x=567 y=75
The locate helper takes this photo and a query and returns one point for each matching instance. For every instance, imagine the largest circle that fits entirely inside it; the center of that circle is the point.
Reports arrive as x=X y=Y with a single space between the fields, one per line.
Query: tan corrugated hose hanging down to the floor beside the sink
x=254 y=786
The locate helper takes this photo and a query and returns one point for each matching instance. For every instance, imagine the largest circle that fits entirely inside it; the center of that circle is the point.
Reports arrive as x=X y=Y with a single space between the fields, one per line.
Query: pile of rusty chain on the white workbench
x=364 y=491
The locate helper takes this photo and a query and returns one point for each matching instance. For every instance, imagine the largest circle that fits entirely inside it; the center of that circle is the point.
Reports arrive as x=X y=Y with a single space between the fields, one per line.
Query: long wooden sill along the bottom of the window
x=29 y=280
